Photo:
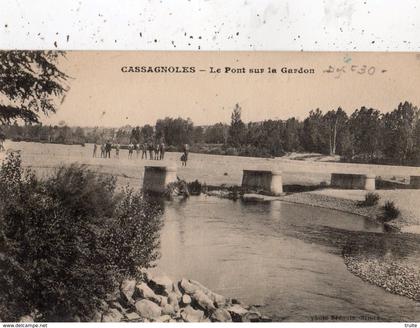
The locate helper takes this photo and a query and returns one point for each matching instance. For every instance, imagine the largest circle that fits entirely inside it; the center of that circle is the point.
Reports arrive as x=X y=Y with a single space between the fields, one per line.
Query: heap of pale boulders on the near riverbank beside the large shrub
x=159 y=299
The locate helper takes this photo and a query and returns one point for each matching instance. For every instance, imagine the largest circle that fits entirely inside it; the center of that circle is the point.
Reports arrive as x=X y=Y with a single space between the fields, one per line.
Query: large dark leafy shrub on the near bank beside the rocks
x=67 y=241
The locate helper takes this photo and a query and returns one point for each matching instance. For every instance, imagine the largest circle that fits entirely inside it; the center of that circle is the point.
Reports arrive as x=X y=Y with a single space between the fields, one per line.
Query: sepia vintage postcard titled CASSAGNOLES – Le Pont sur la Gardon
x=209 y=187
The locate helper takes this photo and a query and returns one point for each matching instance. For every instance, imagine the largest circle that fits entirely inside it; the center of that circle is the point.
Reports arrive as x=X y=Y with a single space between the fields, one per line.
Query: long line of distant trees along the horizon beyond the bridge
x=365 y=136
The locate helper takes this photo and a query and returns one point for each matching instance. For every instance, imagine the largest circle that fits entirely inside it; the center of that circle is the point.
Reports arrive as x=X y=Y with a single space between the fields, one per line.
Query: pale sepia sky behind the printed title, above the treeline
x=102 y=95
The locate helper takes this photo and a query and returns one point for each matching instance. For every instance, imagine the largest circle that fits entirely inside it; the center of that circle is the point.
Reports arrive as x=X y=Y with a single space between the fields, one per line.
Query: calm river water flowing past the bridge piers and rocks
x=284 y=257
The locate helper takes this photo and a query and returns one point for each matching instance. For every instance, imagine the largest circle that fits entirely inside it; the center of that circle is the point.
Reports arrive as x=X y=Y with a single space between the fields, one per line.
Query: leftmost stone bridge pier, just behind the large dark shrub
x=157 y=178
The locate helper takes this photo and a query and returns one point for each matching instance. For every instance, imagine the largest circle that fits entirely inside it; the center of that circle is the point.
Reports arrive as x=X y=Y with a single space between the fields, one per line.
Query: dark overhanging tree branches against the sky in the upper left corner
x=30 y=84
